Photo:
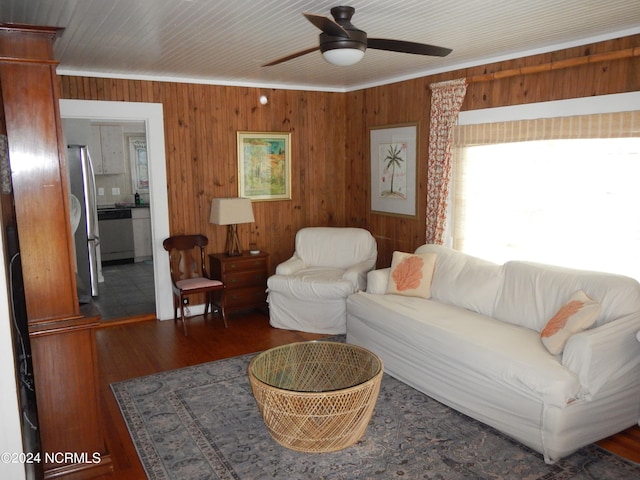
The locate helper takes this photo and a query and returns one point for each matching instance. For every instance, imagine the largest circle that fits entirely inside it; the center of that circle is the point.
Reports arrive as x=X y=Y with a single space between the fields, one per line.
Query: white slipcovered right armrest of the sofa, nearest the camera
x=604 y=353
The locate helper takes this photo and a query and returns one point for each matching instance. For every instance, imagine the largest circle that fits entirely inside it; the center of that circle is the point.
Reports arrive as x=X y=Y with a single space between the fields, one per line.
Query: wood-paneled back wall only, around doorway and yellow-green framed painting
x=201 y=123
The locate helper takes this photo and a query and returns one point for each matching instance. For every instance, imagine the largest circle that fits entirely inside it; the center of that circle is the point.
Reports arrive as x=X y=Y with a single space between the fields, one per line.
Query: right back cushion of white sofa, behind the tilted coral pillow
x=532 y=293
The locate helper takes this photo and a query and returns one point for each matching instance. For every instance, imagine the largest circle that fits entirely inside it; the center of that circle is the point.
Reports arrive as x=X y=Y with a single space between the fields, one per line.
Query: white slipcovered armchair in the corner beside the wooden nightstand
x=309 y=291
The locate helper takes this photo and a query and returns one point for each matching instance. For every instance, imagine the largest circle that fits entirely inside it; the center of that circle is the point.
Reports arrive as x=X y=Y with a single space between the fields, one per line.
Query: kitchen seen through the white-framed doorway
x=123 y=264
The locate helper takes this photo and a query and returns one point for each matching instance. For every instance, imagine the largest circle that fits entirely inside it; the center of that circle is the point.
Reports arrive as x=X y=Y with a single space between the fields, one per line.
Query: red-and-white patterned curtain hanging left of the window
x=446 y=101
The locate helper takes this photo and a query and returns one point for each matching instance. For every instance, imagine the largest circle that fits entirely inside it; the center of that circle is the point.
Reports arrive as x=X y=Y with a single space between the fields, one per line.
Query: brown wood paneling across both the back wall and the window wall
x=330 y=146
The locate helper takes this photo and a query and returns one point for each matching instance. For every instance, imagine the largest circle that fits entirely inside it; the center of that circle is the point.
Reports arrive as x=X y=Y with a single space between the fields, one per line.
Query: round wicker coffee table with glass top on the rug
x=316 y=396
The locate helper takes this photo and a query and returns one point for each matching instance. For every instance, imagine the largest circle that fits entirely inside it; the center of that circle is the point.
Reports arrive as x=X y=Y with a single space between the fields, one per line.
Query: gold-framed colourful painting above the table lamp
x=264 y=165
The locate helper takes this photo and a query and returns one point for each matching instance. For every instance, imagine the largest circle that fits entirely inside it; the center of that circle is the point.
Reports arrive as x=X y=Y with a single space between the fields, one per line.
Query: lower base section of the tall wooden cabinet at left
x=66 y=377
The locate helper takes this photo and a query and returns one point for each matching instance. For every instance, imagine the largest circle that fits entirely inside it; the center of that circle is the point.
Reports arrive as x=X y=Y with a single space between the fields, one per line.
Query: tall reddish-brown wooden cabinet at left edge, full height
x=62 y=338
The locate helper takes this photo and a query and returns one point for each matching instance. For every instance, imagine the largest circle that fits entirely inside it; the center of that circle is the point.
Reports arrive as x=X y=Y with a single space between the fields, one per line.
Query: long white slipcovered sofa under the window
x=475 y=346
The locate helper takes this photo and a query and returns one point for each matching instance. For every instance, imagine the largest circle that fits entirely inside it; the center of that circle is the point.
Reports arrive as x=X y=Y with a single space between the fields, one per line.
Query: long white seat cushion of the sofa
x=509 y=355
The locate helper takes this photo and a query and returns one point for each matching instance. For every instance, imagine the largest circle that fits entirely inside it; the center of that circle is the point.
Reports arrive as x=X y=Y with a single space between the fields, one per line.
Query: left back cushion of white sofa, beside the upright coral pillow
x=463 y=280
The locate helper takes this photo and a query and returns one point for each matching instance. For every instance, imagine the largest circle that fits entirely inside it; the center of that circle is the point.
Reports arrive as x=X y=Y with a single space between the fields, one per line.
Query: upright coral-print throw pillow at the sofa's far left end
x=411 y=274
